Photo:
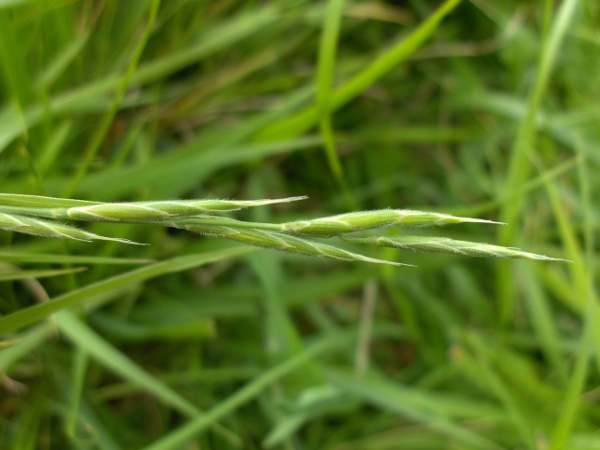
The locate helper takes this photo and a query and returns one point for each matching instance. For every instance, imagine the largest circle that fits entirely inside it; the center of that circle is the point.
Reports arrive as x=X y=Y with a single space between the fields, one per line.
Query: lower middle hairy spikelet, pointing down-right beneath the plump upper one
x=283 y=242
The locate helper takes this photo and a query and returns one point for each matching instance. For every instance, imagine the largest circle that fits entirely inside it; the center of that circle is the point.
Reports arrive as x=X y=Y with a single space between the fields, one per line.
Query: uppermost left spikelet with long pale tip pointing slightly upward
x=150 y=211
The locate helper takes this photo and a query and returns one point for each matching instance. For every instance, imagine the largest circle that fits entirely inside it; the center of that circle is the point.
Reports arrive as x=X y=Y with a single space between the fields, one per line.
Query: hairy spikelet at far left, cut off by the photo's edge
x=38 y=227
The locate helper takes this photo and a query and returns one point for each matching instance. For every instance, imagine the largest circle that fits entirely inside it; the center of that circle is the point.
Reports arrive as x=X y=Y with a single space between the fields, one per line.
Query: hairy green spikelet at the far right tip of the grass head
x=447 y=245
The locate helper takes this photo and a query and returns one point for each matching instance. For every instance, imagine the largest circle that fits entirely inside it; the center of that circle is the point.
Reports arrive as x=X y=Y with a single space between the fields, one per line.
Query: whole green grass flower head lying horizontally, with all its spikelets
x=199 y=216
